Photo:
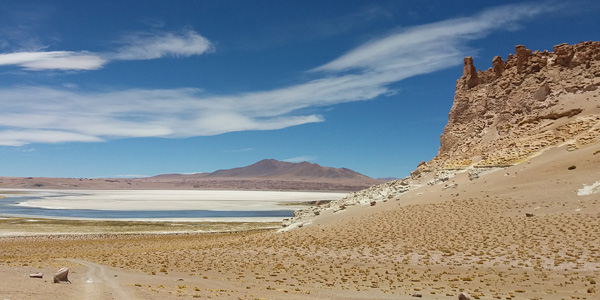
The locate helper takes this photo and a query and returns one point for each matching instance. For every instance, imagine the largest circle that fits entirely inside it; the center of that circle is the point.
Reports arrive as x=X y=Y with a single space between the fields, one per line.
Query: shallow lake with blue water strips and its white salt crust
x=158 y=204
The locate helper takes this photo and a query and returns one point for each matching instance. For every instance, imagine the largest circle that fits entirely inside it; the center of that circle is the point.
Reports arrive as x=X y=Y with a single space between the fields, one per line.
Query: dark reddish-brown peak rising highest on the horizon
x=271 y=168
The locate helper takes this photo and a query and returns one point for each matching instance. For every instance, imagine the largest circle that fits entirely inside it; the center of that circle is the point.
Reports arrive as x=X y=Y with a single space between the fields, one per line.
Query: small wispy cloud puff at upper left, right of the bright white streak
x=142 y=46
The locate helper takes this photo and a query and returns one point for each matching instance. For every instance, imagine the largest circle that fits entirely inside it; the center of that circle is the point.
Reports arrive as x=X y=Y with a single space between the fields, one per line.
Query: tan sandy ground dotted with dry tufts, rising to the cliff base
x=432 y=241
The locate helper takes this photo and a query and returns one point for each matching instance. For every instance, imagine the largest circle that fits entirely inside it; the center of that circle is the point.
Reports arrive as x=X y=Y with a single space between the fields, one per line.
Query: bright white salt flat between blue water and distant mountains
x=155 y=200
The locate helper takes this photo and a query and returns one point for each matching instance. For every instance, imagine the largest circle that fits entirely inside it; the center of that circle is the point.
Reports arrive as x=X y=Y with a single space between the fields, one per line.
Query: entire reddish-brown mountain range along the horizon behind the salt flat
x=267 y=174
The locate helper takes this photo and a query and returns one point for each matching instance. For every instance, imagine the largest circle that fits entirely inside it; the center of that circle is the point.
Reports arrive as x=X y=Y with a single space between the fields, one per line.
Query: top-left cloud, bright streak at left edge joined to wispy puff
x=139 y=46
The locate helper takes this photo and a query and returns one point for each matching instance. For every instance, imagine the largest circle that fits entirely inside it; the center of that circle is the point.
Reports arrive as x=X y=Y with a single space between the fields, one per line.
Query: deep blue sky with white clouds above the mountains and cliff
x=121 y=88
